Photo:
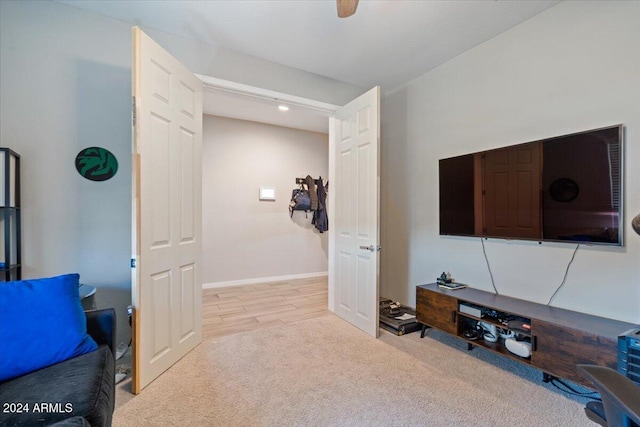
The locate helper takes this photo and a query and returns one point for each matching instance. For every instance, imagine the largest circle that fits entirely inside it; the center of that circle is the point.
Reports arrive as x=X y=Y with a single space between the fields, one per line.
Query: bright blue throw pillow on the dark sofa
x=41 y=323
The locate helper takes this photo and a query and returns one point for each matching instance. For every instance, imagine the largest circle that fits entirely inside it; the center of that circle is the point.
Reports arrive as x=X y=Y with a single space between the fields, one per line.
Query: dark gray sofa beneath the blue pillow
x=78 y=391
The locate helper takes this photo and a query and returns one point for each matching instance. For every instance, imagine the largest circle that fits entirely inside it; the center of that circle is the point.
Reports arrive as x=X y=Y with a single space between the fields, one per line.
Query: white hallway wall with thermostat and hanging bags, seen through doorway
x=245 y=238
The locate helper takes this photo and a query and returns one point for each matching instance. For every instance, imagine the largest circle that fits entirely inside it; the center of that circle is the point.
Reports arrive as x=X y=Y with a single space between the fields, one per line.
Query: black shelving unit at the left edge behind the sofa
x=10 y=216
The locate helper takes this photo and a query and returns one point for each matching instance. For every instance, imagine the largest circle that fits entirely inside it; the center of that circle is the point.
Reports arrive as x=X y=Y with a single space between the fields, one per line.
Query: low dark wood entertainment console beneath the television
x=560 y=339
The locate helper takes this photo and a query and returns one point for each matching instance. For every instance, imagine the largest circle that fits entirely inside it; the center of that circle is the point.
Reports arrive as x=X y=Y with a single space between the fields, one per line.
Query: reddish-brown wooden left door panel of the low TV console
x=437 y=310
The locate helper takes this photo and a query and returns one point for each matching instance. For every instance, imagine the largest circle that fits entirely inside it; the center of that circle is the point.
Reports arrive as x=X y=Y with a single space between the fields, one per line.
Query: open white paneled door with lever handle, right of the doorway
x=354 y=140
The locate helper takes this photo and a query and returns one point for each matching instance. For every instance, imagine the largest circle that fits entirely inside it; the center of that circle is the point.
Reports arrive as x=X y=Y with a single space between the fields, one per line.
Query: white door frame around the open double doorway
x=326 y=109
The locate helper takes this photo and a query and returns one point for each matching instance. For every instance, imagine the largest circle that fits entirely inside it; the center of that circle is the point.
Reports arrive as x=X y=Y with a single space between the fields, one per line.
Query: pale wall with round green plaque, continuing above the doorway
x=66 y=85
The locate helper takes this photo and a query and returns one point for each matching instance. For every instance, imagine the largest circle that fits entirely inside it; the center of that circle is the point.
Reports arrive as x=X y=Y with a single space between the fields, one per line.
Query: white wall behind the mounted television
x=574 y=67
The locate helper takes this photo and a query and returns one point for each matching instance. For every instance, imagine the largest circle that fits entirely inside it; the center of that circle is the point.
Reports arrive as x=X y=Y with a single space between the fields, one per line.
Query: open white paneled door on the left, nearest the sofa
x=167 y=210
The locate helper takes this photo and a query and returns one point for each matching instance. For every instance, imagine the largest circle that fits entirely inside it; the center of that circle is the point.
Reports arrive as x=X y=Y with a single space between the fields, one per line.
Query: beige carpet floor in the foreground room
x=325 y=372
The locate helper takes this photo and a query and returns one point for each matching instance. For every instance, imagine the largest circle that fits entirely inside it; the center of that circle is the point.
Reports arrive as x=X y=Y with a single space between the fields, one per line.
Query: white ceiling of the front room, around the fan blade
x=386 y=43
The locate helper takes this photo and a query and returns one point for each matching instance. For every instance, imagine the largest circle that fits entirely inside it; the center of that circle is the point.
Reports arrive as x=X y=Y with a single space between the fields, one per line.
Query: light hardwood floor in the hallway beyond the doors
x=236 y=309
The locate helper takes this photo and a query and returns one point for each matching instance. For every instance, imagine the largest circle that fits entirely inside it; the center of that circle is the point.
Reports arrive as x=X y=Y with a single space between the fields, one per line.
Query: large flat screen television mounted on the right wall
x=563 y=189
